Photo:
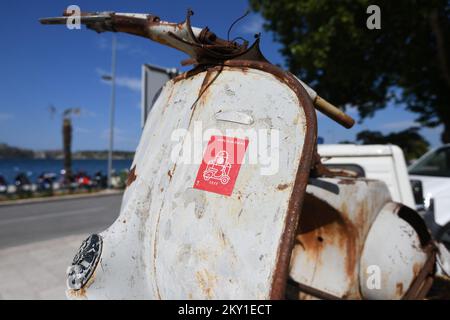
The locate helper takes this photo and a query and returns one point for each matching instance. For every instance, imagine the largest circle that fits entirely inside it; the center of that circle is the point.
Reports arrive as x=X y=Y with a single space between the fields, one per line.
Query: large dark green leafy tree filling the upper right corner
x=328 y=44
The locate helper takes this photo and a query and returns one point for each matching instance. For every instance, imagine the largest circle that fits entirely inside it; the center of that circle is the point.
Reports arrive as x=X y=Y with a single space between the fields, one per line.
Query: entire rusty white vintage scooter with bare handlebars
x=250 y=213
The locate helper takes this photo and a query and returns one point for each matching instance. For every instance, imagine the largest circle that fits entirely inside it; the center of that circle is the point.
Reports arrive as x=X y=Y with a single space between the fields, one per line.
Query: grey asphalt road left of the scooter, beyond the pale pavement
x=26 y=223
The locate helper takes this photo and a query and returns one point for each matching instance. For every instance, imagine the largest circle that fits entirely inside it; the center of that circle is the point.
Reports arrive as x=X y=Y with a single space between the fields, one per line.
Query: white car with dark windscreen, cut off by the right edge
x=433 y=170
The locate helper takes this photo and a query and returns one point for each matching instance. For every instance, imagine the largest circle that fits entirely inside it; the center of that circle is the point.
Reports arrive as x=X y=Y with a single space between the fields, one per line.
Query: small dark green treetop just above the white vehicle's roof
x=409 y=140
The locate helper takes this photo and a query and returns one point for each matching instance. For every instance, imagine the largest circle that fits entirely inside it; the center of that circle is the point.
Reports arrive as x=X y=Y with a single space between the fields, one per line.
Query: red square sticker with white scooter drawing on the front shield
x=221 y=164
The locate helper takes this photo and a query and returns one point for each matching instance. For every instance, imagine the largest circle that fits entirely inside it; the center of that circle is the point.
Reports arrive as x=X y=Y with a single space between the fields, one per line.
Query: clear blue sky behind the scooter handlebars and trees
x=50 y=65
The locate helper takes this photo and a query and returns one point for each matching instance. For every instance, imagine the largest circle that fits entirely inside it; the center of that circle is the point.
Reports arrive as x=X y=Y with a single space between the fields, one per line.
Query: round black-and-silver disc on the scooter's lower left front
x=84 y=262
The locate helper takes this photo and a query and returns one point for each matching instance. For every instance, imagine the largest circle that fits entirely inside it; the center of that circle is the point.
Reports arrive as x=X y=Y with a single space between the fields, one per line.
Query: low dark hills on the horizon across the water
x=10 y=152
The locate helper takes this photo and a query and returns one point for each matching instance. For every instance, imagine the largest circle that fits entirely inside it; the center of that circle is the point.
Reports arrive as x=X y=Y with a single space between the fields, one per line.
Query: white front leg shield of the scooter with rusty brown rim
x=180 y=236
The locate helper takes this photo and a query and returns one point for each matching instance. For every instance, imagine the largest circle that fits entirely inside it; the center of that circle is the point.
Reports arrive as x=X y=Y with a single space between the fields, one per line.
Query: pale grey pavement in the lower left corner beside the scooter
x=37 y=270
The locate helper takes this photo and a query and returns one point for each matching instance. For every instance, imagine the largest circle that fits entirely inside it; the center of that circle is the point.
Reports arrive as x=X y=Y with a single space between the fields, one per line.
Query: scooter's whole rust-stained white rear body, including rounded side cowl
x=343 y=236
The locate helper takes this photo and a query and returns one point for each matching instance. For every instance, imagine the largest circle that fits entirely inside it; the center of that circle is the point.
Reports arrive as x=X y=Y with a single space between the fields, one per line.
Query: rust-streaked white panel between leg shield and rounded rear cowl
x=332 y=229
